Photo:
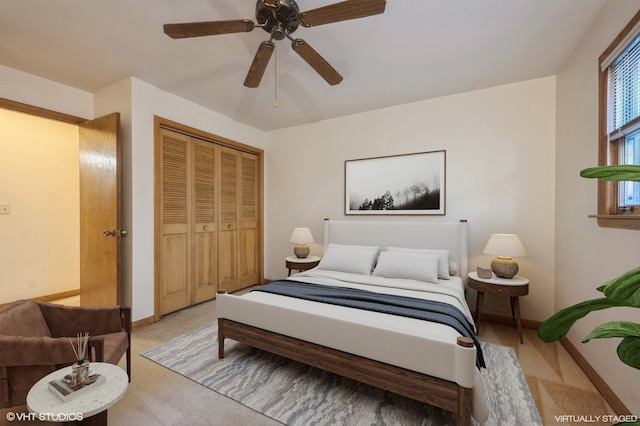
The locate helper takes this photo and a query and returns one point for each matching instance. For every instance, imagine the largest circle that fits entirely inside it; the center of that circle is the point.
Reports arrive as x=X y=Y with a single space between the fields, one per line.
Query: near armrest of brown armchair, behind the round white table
x=23 y=351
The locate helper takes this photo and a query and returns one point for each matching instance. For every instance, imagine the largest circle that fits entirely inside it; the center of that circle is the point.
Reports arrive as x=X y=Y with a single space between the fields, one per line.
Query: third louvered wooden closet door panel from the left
x=229 y=218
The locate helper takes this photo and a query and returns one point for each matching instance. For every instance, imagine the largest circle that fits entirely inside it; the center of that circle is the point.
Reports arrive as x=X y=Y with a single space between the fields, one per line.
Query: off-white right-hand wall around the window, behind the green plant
x=588 y=255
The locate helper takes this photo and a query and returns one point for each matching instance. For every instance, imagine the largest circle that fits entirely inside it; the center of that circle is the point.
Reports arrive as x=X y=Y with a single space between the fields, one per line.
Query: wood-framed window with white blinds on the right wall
x=619 y=202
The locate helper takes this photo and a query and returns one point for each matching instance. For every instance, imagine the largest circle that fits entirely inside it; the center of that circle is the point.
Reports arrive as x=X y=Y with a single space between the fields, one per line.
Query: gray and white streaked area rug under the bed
x=296 y=394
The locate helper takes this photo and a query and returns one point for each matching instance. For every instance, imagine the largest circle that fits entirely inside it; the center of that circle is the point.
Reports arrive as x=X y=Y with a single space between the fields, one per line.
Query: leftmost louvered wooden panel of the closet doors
x=175 y=249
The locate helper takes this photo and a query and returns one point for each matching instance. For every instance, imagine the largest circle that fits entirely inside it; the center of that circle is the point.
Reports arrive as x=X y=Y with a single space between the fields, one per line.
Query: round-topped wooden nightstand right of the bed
x=514 y=288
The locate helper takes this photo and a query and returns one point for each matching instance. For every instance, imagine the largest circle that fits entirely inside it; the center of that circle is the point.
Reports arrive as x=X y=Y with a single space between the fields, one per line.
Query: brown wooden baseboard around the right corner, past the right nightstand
x=607 y=393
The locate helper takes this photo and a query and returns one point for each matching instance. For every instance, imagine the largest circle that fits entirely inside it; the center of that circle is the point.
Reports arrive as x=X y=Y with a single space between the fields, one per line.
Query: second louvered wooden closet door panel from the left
x=204 y=244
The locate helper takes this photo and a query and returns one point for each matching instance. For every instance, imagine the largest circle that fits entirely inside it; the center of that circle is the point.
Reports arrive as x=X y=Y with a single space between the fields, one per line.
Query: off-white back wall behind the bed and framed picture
x=499 y=145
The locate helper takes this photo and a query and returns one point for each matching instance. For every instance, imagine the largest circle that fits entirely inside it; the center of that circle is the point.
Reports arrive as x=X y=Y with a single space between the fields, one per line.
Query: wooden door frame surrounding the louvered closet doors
x=158 y=124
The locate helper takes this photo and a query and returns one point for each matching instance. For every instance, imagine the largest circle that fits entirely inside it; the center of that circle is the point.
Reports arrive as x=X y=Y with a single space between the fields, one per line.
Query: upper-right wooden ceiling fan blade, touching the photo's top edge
x=349 y=9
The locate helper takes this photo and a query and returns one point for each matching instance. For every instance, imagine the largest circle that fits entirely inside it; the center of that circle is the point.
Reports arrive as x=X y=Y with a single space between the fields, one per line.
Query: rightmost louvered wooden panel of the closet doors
x=248 y=256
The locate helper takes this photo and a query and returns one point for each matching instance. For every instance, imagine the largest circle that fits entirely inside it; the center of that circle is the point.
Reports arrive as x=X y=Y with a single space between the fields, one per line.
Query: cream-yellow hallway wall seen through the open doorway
x=40 y=239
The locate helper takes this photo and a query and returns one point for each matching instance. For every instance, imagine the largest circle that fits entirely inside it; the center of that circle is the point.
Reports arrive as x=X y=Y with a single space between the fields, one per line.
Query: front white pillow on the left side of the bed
x=353 y=259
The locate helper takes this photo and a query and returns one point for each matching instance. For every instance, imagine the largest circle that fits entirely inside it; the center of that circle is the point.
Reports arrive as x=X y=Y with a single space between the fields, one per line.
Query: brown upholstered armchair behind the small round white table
x=34 y=341
